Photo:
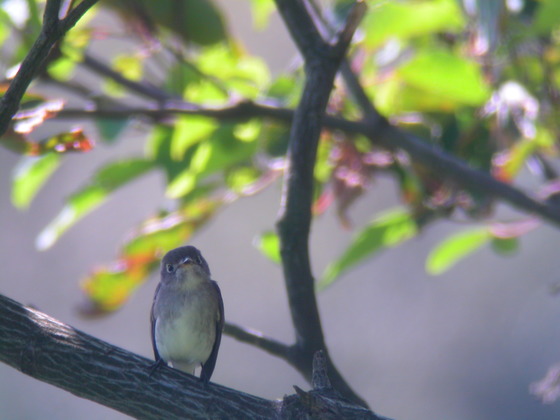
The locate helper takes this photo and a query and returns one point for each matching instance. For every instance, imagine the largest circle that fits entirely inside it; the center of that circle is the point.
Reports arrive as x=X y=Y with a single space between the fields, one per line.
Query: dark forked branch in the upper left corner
x=52 y=31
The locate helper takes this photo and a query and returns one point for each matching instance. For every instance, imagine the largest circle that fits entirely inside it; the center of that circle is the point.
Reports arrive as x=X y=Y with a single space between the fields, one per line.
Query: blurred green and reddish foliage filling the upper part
x=479 y=80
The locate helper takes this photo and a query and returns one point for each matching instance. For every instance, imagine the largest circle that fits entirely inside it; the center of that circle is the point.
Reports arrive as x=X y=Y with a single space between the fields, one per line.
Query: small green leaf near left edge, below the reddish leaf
x=30 y=175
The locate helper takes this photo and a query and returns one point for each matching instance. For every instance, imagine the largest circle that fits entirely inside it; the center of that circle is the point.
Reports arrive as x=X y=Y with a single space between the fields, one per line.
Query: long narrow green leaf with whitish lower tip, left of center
x=107 y=179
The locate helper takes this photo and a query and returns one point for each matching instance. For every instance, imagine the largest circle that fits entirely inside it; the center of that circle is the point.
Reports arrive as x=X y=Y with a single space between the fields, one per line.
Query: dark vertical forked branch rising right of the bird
x=321 y=65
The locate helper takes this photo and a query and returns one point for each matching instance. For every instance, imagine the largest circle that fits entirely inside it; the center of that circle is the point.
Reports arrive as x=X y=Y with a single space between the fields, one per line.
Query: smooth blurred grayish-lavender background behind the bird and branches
x=463 y=345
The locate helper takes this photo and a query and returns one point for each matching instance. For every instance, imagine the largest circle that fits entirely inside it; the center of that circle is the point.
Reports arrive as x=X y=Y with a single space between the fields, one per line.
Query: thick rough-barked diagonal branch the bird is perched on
x=55 y=353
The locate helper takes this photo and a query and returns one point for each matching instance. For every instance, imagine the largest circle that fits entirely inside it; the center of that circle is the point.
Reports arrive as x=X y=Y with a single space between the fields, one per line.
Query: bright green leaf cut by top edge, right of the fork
x=406 y=19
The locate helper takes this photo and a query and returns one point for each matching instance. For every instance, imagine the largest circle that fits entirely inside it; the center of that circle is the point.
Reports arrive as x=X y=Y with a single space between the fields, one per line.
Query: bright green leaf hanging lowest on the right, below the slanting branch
x=454 y=248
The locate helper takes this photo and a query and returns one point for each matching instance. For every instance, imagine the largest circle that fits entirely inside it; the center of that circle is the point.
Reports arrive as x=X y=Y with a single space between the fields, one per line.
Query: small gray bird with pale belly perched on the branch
x=187 y=314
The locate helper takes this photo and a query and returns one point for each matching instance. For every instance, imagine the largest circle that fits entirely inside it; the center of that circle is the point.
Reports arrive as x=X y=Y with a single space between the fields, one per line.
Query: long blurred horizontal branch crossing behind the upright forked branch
x=376 y=127
